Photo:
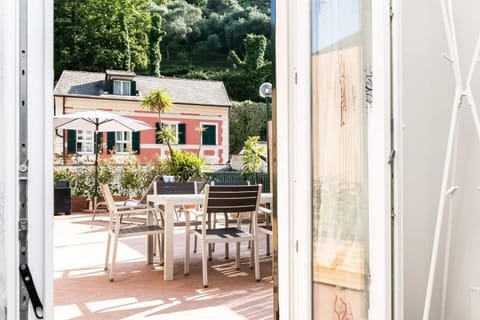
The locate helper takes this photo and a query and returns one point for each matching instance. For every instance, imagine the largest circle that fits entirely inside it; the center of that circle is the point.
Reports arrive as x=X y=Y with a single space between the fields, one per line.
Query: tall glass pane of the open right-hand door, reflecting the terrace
x=340 y=64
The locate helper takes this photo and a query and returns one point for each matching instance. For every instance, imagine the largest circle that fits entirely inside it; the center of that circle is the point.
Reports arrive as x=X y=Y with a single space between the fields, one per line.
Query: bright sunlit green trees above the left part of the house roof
x=96 y=35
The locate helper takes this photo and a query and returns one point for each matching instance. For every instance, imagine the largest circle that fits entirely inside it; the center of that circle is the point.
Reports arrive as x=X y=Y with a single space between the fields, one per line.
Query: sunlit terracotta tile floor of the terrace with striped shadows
x=82 y=289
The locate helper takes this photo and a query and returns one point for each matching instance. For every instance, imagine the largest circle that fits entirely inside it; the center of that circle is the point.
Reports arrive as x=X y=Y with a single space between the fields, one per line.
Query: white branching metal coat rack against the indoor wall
x=461 y=92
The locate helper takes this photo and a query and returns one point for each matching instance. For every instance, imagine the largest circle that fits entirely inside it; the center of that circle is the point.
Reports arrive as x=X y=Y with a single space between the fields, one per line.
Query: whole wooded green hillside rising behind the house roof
x=181 y=38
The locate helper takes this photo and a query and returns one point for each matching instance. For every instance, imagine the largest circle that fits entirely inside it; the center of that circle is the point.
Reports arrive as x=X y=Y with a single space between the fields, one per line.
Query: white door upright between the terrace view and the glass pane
x=293 y=158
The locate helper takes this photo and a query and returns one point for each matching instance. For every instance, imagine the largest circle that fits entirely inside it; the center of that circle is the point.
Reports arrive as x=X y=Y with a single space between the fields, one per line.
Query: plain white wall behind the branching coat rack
x=424 y=101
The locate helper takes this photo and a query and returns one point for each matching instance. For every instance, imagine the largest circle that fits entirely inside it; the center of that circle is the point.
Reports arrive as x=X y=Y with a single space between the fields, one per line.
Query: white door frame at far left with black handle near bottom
x=40 y=148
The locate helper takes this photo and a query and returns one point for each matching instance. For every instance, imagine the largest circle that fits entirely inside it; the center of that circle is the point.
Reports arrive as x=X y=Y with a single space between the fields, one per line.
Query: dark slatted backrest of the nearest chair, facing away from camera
x=232 y=198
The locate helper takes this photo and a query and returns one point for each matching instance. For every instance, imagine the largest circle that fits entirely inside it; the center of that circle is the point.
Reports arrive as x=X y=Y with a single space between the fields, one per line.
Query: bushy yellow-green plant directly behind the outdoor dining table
x=183 y=165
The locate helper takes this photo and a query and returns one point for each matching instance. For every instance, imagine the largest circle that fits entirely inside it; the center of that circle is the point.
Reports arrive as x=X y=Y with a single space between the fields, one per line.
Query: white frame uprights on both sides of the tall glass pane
x=294 y=161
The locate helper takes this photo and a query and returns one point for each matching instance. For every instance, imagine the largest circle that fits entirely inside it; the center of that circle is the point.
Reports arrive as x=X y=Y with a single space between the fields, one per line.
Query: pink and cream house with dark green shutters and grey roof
x=198 y=116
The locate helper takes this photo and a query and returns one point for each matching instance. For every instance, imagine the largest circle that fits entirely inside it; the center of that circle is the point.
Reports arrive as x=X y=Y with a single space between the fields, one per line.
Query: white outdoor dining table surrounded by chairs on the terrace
x=169 y=201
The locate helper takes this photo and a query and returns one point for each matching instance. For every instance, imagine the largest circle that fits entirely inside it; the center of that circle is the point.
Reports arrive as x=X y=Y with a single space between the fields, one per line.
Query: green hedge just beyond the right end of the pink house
x=247 y=119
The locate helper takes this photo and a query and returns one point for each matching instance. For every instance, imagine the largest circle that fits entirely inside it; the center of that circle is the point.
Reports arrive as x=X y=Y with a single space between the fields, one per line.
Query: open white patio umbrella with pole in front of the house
x=98 y=121
